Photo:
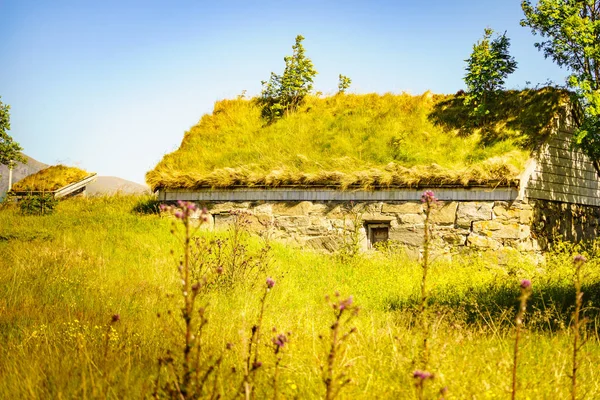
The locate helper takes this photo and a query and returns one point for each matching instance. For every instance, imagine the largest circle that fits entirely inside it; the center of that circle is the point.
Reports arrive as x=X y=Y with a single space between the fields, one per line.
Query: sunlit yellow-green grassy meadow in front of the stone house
x=90 y=299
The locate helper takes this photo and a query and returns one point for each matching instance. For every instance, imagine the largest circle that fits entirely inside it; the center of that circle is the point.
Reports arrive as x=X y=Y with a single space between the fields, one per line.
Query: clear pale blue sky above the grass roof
x=112 y=86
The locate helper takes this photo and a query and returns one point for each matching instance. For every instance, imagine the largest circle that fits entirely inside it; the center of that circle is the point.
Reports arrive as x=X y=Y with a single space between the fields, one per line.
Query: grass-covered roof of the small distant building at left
x=50 y=179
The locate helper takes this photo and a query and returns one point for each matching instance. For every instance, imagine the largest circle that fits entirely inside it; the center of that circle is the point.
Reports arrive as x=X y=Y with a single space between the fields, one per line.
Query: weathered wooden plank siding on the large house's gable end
x=563 y=173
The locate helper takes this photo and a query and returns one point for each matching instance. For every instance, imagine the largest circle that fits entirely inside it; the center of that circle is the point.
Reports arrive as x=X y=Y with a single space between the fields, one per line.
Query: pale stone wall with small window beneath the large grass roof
x=490 y=225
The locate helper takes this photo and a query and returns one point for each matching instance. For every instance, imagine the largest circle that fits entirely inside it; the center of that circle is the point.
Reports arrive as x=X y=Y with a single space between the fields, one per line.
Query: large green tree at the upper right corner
x=571 y=38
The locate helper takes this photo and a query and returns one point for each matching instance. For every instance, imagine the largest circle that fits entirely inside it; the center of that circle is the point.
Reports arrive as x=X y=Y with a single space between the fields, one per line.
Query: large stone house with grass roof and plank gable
x=357 y=165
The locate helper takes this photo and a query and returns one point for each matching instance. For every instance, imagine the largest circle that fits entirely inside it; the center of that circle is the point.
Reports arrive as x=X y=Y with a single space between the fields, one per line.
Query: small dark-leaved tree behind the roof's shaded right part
x=487 y=68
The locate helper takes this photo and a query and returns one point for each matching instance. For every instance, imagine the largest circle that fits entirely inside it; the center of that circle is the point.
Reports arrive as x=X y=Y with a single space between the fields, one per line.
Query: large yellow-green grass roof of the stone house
x=362 y=141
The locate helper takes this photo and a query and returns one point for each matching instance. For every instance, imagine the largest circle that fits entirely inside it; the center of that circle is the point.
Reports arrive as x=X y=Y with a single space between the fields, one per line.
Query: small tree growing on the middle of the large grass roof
x=283 y=93
